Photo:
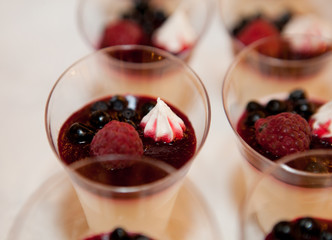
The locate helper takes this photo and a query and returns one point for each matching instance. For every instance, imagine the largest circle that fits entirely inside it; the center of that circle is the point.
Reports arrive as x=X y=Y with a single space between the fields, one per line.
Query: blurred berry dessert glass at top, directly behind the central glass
x=175 y=25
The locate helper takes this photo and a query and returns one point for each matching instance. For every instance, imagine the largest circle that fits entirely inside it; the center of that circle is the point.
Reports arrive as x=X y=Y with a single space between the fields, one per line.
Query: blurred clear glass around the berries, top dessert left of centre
x=94 y=15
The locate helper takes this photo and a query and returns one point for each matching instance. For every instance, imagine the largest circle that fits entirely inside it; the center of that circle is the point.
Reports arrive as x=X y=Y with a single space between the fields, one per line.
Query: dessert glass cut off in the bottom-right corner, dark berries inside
x=291 y=199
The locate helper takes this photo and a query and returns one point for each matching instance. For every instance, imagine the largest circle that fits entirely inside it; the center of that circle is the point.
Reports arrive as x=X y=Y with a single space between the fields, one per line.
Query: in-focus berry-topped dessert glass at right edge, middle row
x=277 y=107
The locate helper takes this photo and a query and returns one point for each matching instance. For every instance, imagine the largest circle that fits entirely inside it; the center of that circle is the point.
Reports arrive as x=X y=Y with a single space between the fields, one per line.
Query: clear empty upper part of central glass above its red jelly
x=134 y=70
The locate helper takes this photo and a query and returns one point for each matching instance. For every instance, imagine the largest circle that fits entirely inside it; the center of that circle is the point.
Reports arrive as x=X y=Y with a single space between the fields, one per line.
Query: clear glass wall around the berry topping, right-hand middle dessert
x=253 y=76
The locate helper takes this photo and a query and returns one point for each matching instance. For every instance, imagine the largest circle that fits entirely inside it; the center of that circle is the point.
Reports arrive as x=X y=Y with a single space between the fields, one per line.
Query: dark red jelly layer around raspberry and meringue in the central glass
x=130 y=109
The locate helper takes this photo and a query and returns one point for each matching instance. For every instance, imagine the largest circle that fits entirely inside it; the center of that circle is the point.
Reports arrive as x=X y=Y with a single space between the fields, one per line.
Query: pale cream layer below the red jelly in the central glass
x=146 y=214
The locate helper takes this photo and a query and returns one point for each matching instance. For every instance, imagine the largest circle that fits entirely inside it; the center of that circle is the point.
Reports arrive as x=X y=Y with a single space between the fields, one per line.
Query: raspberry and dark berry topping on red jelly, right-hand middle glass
x=265 y=131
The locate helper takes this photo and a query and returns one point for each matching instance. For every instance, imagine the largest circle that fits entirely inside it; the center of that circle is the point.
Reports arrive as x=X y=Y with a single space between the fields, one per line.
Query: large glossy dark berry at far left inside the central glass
x=80 y=133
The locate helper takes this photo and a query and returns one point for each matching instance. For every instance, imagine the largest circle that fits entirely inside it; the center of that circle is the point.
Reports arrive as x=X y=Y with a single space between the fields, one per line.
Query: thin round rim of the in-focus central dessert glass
x=167 y=55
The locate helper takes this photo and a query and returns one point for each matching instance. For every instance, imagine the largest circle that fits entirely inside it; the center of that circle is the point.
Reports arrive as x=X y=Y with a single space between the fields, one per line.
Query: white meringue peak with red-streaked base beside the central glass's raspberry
x=162 y=124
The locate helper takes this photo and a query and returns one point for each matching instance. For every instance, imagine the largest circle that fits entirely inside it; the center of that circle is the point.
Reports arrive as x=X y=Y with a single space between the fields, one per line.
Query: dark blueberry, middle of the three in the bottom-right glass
x=307 y=228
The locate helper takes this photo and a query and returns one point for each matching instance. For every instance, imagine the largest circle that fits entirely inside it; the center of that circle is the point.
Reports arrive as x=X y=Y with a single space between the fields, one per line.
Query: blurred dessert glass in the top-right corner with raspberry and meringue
x=248 y=21
